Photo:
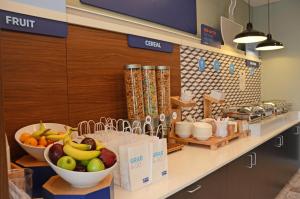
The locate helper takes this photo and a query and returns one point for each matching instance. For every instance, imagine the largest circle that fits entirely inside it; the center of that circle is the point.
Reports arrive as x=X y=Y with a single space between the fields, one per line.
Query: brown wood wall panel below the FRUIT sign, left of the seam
x=34 y=81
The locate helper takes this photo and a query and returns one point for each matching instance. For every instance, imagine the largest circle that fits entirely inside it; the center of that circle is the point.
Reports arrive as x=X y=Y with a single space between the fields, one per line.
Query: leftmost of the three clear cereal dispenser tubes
x=134 y=92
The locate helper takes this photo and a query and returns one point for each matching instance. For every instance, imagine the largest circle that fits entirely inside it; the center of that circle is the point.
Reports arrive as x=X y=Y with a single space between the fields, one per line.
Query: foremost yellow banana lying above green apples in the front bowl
x=79 y=154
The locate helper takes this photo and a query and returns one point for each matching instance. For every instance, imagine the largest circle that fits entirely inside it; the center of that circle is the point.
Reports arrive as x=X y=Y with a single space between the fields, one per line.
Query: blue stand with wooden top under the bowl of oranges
x=41 y=173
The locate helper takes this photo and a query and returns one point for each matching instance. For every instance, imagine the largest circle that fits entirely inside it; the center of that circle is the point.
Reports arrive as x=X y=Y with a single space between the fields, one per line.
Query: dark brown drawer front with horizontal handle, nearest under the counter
x=211 y=187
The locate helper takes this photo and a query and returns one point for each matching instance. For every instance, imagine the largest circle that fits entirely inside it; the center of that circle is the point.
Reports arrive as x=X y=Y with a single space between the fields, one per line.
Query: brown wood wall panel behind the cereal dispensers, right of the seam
x=96 y=59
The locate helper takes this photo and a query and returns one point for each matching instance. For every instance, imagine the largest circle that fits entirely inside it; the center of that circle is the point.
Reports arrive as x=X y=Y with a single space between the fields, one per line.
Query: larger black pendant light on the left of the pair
x=249 y=35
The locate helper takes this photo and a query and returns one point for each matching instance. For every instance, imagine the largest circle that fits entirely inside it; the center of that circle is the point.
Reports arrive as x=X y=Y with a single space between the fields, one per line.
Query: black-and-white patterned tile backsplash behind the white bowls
x=201 y=83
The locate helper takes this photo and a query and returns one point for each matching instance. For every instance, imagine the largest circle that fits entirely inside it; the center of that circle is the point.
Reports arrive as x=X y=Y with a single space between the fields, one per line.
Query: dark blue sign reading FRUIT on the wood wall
x=25 y=23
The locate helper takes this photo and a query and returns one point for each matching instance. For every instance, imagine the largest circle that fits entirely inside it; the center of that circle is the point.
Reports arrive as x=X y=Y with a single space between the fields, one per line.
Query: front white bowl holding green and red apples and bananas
x=82 y=164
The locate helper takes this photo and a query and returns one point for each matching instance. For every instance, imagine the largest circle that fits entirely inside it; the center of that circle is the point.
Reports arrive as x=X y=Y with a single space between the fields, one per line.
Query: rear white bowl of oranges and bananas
x=36 y=137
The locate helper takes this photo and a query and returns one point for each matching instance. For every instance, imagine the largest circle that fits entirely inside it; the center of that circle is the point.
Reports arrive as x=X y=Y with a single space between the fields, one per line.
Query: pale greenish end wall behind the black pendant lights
x=281 y=69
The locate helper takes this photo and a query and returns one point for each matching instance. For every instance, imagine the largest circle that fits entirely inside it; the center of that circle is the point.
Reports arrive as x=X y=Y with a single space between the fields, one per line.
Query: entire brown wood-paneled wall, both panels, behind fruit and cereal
x=70 y=80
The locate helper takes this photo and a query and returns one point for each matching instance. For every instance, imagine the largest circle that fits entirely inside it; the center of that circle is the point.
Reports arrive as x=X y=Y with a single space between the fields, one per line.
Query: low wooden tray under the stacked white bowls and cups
x=213 y=143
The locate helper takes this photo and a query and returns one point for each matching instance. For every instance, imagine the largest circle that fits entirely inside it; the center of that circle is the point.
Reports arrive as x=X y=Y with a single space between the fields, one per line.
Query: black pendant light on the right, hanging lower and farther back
x=270 y=43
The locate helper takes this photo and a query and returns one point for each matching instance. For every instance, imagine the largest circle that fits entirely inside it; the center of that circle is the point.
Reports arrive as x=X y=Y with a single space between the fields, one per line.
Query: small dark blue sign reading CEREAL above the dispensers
x=151 y=44
